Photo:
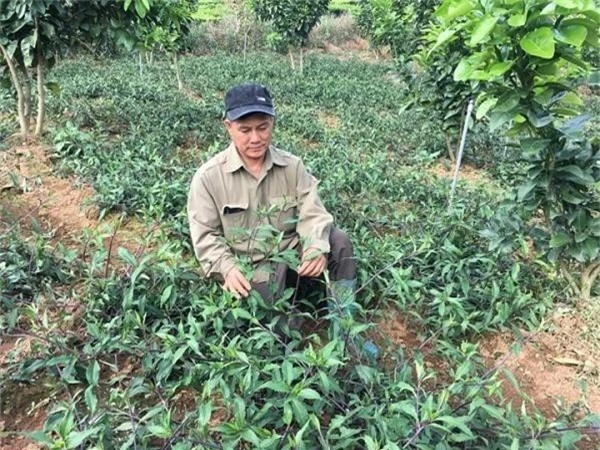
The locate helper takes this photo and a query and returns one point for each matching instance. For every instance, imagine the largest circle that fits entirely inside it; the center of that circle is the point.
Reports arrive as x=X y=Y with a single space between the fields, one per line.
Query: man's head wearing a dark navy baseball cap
x=249 y=119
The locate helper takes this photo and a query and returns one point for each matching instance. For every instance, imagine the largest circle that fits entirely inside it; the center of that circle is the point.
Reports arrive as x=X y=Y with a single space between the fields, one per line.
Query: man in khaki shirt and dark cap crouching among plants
x=253 y=184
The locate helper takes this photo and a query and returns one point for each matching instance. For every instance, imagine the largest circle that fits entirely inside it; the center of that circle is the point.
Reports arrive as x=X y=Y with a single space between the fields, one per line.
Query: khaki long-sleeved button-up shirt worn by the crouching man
x=231 y=212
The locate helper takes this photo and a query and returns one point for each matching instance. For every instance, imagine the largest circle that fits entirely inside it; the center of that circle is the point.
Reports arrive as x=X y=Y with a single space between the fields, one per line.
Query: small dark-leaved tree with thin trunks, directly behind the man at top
x=292 y=19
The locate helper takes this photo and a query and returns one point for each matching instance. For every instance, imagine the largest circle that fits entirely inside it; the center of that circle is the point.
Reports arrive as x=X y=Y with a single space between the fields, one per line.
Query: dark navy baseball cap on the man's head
x=249 y=98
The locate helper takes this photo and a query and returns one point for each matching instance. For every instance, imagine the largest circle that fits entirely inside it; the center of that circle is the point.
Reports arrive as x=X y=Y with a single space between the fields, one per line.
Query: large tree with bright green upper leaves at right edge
x=525 y=56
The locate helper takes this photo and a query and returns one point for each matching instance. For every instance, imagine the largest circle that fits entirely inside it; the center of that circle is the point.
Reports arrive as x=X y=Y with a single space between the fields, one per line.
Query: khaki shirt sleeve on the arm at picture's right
x=314 y=222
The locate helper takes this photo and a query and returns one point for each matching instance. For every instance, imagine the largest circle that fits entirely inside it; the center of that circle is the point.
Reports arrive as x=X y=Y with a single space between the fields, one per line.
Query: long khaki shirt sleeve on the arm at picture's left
x=211 y=250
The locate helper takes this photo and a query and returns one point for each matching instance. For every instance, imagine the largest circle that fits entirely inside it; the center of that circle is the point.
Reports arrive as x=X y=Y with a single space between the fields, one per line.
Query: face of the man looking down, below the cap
x=251 y=135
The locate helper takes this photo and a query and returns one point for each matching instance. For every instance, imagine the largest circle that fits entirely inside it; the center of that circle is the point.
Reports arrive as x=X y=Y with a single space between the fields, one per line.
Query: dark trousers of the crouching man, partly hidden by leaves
x=340 y=263
